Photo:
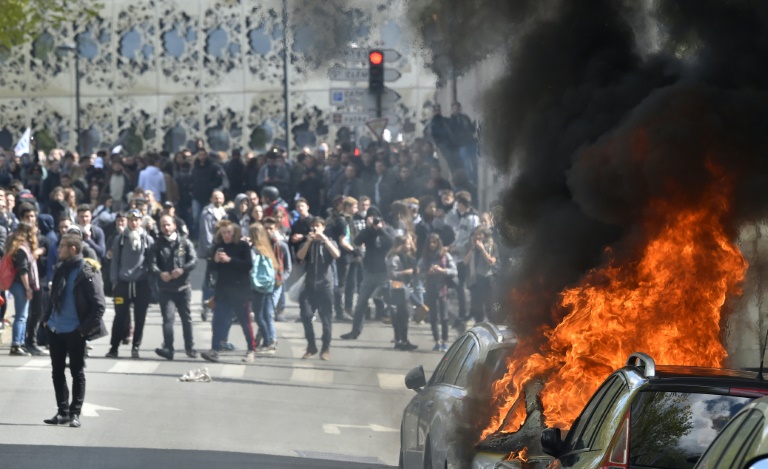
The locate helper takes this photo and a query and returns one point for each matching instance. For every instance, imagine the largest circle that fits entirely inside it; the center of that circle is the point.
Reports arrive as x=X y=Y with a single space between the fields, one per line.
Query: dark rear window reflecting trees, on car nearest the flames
x=673 y=429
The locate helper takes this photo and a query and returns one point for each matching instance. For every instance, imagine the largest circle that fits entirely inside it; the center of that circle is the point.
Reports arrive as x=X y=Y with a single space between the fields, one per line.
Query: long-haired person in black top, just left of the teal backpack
x=230 y=257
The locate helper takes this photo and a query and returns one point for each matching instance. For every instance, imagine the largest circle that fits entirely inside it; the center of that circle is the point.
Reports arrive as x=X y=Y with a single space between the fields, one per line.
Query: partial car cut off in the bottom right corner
x=743 y=443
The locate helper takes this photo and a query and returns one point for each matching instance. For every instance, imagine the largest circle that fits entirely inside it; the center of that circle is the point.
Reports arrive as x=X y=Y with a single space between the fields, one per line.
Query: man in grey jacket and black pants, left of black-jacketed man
x=129 y=276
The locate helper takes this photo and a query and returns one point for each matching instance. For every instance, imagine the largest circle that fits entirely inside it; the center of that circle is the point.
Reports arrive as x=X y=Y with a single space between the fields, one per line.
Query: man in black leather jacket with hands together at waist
x=172 y=260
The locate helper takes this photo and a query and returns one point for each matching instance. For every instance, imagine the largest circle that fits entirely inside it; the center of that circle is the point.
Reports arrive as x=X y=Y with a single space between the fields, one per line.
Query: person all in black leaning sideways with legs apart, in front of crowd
x=377 y=240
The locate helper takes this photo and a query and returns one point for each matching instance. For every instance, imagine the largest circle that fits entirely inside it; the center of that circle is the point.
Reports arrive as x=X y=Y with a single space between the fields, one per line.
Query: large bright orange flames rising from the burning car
x=665 y=300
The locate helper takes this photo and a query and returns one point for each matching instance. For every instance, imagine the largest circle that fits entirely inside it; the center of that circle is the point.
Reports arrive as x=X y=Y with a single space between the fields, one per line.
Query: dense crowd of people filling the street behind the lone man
x=333 y=228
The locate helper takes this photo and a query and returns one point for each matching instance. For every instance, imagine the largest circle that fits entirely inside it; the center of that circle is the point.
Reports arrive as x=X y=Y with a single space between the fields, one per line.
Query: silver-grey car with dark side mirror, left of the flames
x=429 y=417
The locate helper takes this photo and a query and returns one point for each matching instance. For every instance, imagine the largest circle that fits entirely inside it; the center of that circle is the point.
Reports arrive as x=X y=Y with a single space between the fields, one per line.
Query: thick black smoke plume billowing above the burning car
x=605 y=106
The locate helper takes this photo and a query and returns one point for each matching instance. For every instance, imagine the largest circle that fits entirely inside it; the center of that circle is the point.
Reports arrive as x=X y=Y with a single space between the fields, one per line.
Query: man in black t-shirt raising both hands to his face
x=318 y=253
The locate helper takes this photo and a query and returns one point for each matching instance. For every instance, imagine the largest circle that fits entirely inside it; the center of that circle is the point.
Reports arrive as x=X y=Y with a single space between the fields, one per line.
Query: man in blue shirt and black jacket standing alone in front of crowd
x=74 y=315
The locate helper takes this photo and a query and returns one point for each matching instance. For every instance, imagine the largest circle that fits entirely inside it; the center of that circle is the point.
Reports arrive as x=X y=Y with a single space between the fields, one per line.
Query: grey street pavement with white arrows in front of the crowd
x=280 y=411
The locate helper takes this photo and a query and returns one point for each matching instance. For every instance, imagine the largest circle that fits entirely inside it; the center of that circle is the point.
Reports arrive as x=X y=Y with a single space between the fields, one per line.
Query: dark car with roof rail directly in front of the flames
x=647 y=416
